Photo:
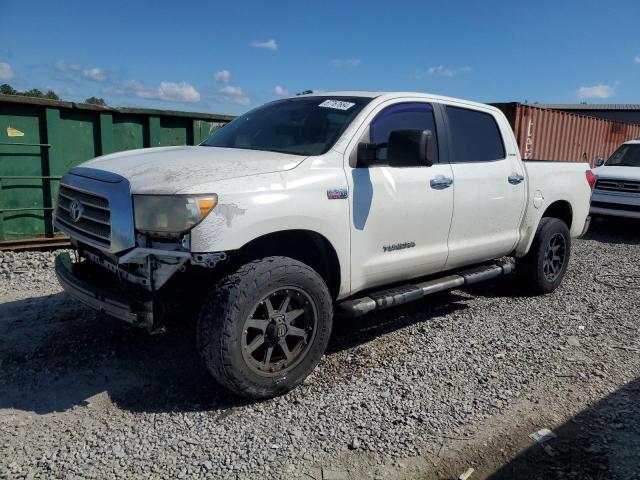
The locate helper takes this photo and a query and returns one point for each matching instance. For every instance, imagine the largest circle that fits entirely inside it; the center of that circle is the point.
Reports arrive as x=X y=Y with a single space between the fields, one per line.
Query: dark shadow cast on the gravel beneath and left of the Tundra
x=56 y=354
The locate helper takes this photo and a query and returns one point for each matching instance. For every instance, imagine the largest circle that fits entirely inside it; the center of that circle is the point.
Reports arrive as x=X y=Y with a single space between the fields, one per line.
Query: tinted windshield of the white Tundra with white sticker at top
x=301 y=126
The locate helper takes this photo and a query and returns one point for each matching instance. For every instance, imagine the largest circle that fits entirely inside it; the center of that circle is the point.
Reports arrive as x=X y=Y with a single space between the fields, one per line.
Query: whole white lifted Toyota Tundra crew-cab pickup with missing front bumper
x=356 y=201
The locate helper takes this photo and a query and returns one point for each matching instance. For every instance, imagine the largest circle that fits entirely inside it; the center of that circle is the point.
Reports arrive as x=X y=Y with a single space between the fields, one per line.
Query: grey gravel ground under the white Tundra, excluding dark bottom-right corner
x=83 y=396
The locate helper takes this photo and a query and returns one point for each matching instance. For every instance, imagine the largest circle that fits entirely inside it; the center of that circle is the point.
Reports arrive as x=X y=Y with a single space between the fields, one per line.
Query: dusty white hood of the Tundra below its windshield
x=168 y=170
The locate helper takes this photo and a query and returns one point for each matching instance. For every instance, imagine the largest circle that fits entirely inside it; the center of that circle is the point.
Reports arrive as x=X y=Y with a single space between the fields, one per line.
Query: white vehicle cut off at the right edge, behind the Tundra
x=617 y=189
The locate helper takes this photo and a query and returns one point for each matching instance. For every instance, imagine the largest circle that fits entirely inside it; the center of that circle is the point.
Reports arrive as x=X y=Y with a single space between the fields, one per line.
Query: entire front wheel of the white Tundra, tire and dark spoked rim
x=265 y=327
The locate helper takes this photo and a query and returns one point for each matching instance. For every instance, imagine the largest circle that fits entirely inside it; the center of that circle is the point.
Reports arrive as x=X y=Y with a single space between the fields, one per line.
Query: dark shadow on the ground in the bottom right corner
x=600 y=442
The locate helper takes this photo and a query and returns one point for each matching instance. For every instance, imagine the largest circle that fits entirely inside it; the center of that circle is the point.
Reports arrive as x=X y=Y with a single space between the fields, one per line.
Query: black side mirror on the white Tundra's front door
x=410 y=148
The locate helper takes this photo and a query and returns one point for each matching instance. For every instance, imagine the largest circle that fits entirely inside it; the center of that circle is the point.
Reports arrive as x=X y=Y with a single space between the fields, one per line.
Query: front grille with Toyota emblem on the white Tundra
x=85 y=214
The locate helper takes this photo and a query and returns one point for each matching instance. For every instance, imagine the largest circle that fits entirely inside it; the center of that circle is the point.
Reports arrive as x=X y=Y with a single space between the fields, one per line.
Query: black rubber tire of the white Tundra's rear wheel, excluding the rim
x=530 y=268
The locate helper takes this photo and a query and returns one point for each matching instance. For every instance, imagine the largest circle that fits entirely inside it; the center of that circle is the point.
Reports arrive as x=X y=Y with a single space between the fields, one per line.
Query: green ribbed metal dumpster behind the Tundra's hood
x=41 y=139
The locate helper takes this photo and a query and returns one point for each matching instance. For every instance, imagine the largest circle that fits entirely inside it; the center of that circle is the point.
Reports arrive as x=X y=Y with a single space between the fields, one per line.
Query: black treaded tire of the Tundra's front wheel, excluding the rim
x=221 y=324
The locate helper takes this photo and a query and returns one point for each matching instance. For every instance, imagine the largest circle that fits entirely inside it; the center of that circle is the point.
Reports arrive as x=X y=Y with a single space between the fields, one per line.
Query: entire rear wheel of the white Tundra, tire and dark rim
x=541 y=270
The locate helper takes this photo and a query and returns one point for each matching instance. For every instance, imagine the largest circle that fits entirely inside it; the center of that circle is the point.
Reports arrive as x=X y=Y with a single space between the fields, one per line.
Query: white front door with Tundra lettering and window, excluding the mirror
x=400 y=216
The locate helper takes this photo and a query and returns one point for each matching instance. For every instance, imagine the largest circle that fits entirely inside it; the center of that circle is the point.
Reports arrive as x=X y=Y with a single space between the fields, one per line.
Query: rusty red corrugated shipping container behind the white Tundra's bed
x=545 y=134
